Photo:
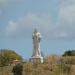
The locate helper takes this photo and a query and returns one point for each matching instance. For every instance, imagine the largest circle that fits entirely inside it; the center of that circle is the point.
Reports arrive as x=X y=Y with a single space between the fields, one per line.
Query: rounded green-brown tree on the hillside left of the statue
x=7 y=56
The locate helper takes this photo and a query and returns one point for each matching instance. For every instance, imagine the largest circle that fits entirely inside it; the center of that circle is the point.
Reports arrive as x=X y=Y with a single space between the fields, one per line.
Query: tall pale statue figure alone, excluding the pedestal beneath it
x=36 y=43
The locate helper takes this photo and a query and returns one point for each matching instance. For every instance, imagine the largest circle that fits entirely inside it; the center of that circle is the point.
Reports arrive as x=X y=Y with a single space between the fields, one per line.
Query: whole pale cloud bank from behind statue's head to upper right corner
x=64 y=28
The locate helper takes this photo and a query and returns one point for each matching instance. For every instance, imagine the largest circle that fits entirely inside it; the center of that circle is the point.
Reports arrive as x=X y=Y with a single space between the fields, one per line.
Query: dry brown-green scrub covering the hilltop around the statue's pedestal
x=53 y=65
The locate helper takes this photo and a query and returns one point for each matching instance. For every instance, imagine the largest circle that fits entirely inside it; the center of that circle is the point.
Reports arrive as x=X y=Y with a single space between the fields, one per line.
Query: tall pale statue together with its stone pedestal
x=36 y=56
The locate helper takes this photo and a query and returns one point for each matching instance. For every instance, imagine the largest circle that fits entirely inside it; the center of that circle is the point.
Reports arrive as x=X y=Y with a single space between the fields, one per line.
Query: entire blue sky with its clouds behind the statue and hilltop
x=54 y=19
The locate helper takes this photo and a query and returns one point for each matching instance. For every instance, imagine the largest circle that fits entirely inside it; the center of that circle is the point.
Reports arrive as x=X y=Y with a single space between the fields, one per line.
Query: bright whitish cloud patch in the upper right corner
x=67 y=11
